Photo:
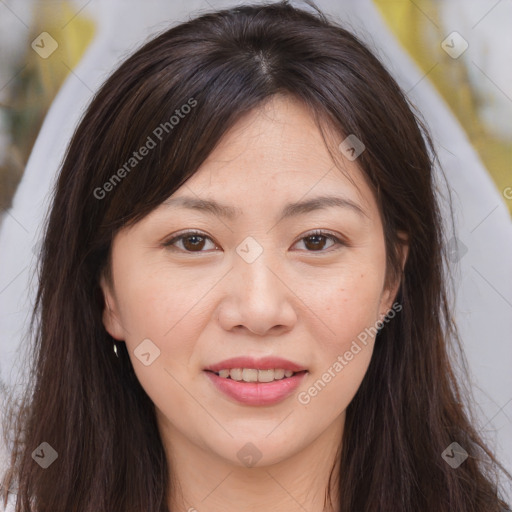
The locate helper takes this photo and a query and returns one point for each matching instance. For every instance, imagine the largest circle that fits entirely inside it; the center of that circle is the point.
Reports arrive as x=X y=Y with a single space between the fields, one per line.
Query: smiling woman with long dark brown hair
x=242 y=299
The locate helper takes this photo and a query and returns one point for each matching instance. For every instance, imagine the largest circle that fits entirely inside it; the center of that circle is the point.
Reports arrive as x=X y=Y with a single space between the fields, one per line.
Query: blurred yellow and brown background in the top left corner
x=28 y=83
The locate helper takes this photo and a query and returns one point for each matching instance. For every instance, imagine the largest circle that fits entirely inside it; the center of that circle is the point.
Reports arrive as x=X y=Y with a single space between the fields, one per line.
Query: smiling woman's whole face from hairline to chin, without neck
x=255 y=282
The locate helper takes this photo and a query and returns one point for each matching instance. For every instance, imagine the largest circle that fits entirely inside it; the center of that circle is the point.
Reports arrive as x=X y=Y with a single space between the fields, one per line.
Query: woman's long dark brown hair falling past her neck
x=89 y=406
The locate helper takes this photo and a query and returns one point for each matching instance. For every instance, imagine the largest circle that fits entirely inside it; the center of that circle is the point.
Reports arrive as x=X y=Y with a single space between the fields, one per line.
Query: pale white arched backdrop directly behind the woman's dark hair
x=484 y=272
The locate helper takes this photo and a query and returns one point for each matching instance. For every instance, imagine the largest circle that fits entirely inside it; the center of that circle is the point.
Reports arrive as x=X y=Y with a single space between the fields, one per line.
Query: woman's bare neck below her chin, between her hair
x=204 y=480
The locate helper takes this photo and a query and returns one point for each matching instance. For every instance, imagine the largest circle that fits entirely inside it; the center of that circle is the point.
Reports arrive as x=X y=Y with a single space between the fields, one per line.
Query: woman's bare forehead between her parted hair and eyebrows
x=277 y=151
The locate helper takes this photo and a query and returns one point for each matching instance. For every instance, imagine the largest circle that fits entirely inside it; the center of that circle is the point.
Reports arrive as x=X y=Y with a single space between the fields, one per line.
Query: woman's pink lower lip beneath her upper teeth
x=257 y=393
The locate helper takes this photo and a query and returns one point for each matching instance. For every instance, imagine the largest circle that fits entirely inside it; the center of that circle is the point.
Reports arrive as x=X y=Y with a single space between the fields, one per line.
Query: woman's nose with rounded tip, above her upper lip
x=257 y=297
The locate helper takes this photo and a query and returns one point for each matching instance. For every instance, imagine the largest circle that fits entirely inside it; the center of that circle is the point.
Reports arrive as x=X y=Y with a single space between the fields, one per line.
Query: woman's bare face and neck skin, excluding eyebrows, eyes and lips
x=297 y=300
